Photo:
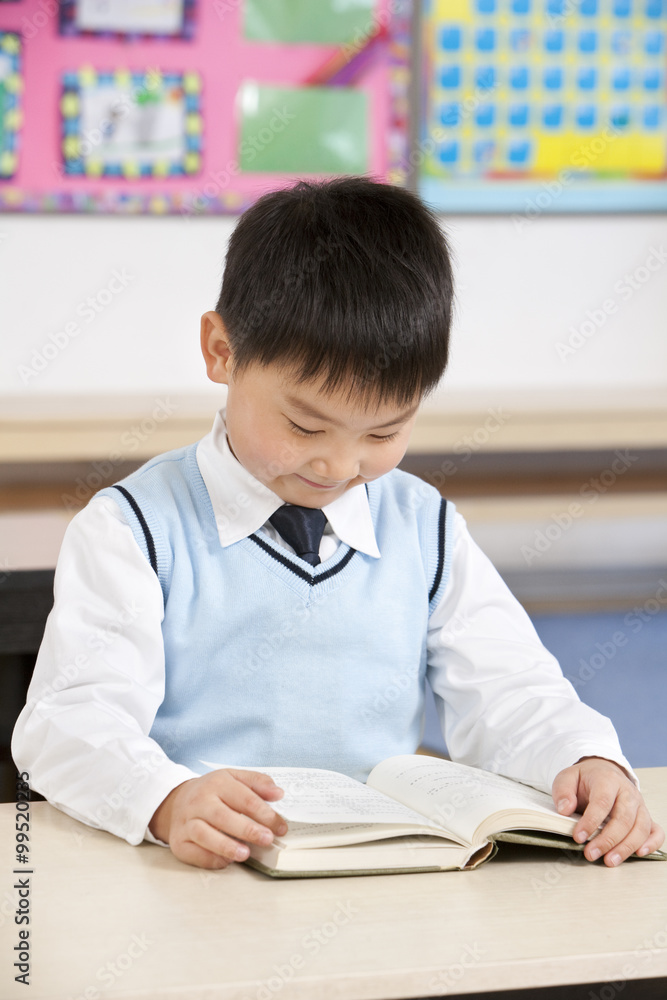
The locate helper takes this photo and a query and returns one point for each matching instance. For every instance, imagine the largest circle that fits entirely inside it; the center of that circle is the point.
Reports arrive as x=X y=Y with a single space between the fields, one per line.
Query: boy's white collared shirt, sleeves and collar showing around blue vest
x=502 y=700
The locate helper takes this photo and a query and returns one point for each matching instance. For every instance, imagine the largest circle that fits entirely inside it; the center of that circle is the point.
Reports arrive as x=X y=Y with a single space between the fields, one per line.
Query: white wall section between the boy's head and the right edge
x=522 y=293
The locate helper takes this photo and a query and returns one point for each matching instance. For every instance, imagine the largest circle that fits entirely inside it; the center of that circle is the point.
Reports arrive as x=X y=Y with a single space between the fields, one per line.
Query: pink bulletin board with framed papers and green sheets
x=196 y=106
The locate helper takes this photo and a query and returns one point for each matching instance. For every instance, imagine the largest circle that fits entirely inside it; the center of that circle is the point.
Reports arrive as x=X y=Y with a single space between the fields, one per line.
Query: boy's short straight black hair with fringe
x=348 y=281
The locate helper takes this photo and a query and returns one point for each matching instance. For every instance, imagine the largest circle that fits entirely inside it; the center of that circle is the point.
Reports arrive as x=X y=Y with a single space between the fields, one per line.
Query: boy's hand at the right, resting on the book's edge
x=601 y=790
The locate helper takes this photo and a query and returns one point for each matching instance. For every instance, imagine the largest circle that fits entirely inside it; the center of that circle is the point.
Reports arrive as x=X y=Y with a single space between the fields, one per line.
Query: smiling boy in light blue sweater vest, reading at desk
x=249 y=599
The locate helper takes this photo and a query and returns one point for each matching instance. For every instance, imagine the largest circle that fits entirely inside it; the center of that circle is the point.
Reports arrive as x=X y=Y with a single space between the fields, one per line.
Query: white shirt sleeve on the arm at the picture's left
x=98 y=683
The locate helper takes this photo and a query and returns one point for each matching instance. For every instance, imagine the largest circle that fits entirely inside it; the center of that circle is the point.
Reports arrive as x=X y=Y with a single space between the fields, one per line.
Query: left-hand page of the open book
x=315 y=795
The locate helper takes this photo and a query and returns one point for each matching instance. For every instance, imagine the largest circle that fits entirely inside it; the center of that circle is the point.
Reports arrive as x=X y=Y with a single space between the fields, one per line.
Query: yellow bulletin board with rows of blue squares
x=532 y=106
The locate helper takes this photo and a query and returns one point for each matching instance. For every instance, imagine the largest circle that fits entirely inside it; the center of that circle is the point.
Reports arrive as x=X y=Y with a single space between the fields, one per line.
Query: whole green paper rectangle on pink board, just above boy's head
x=308 y=130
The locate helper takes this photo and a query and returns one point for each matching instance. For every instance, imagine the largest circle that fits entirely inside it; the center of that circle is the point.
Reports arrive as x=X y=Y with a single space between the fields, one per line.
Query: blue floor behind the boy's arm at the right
x=617 y=662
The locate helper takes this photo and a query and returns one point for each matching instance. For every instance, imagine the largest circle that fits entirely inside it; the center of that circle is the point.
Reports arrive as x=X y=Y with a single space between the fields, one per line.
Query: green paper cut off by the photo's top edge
x=326 y=22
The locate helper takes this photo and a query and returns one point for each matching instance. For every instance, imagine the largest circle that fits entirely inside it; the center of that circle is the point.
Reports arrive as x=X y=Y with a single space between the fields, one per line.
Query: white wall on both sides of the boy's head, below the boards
x=521 y=292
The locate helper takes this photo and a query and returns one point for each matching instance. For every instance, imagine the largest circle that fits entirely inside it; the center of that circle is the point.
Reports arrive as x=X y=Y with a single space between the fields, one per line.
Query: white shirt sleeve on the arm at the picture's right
x=503 y=702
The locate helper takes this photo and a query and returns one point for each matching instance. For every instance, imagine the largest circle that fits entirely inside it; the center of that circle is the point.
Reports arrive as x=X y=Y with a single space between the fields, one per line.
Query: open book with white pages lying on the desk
x=415 y=813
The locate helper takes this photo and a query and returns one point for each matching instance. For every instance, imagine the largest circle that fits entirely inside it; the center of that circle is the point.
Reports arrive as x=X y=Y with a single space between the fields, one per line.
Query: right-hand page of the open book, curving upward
x=460 y=798
